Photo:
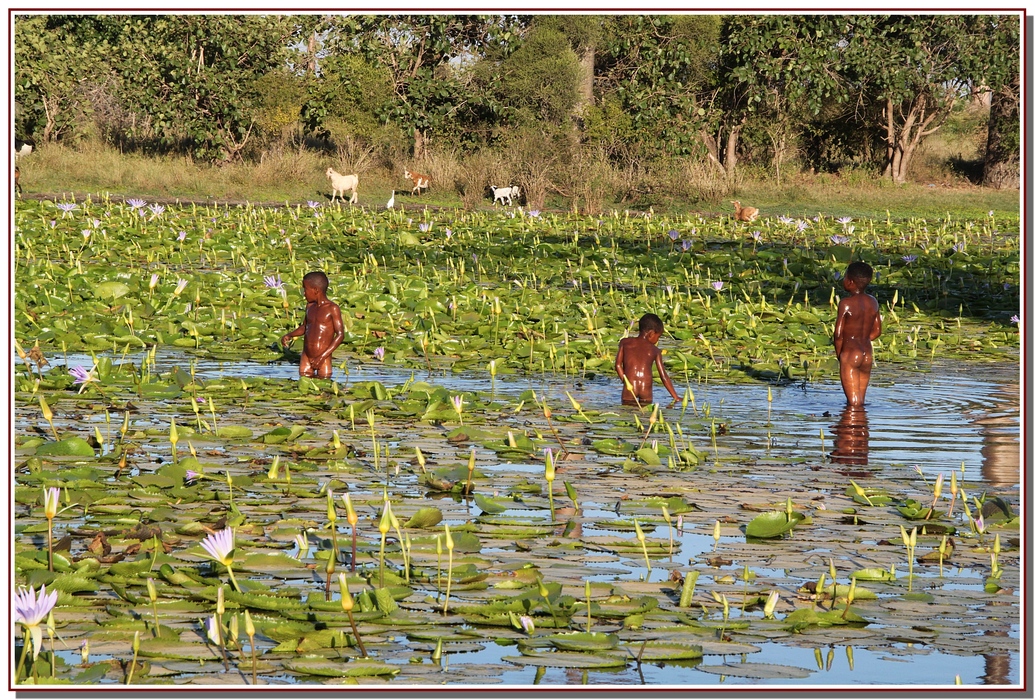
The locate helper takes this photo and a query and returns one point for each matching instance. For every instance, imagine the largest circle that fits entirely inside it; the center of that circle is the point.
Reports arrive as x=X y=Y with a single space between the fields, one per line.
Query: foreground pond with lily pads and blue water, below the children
x=853 y=480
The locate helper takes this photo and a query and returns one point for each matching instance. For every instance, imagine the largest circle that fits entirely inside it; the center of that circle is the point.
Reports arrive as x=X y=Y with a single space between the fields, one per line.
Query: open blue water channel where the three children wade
x=952 y=416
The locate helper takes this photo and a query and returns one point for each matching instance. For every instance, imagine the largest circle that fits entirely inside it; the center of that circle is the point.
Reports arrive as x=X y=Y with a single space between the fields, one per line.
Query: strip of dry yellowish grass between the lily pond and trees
x=550 y=177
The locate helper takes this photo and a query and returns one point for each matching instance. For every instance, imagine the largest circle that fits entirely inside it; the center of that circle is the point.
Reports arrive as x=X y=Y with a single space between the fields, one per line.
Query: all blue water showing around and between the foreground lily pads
x=939 y=420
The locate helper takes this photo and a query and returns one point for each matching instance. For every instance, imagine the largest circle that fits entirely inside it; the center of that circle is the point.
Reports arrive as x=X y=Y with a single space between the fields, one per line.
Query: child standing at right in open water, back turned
x=859 y=324
